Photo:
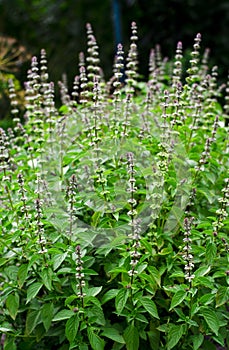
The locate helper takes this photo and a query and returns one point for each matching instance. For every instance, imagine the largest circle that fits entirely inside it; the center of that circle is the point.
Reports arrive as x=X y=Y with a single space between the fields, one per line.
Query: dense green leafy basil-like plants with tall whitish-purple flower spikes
x=114 y=218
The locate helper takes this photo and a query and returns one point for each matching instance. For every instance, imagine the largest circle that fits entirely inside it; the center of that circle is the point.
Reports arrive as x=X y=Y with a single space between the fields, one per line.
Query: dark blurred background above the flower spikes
x=59 y=26
